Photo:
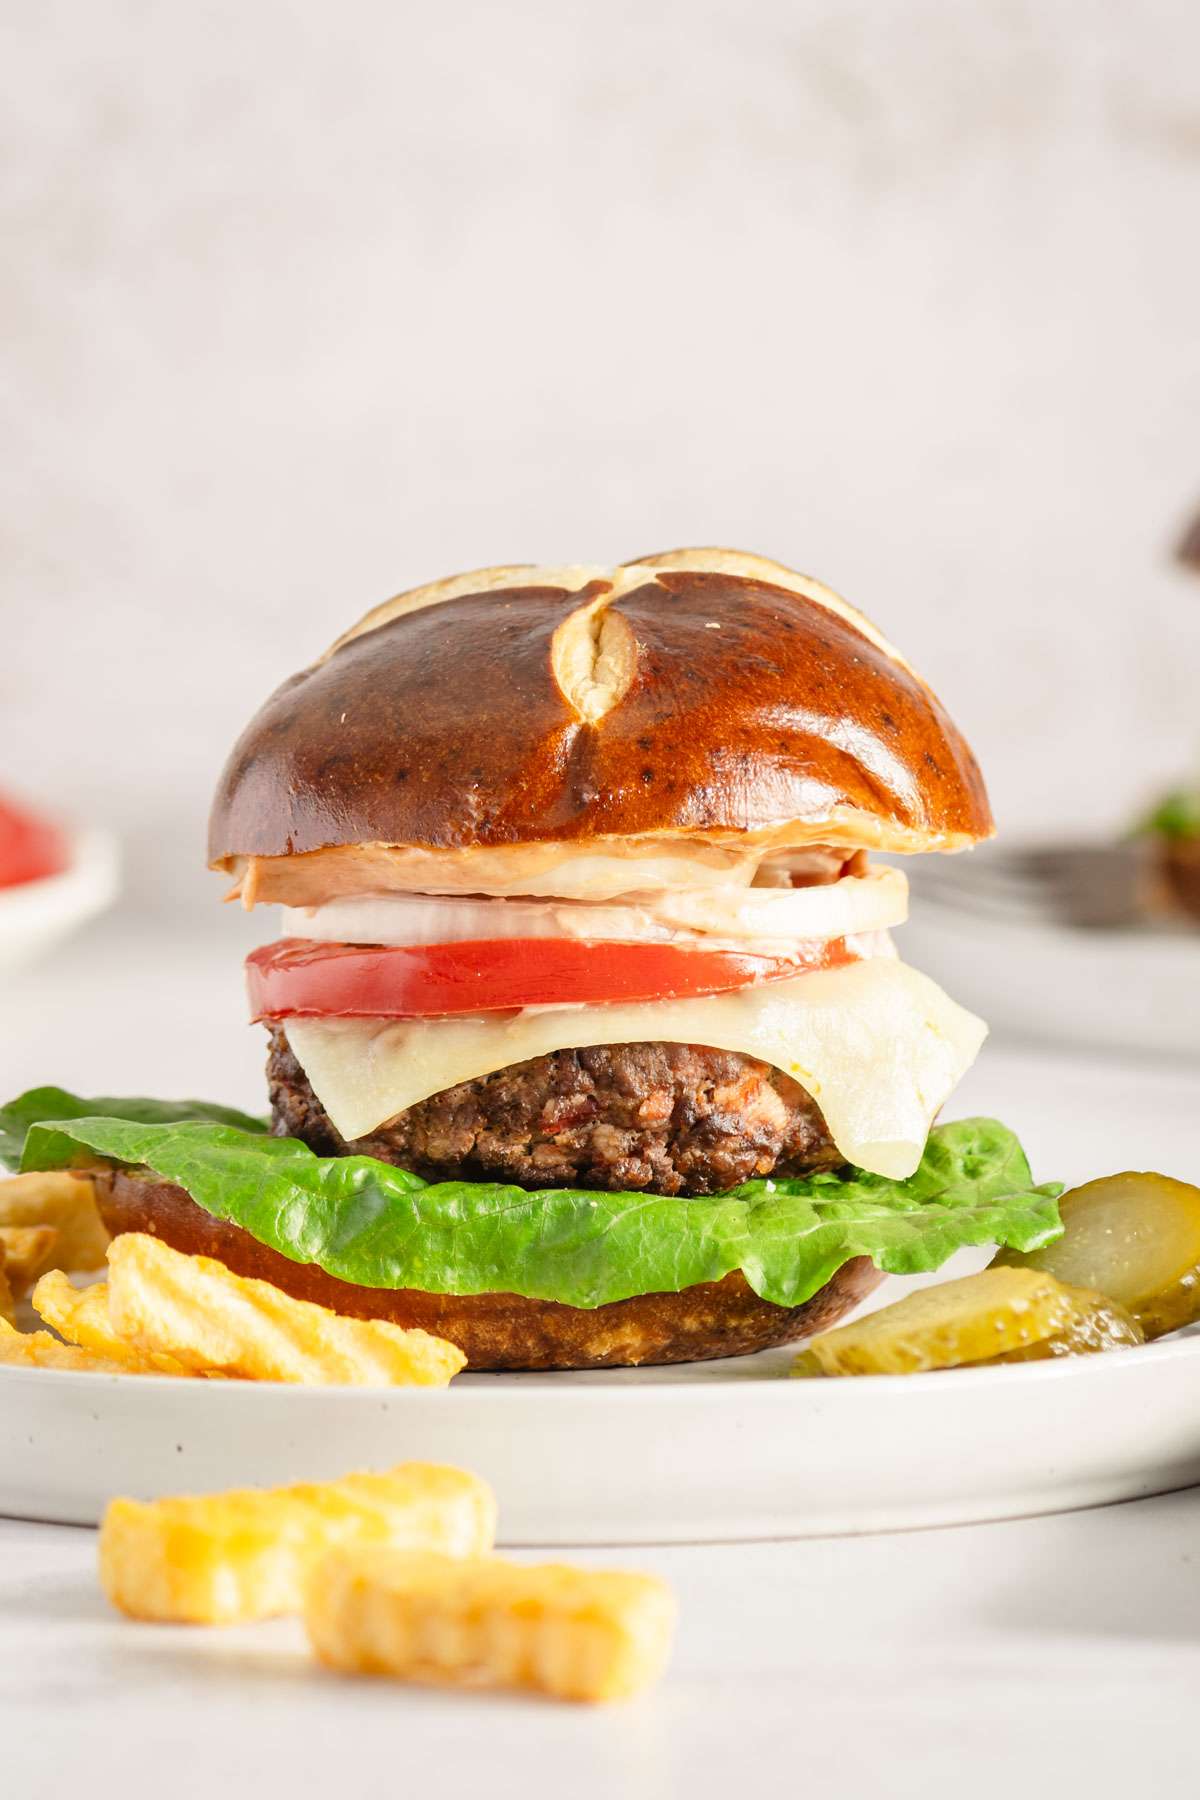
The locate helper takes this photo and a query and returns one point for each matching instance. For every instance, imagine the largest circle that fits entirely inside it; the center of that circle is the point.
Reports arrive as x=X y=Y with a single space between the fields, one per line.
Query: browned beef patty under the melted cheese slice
x=668 y=1119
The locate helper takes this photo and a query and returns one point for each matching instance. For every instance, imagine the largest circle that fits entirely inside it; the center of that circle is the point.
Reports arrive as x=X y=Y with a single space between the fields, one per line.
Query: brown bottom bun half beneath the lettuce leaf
x=503 y=1331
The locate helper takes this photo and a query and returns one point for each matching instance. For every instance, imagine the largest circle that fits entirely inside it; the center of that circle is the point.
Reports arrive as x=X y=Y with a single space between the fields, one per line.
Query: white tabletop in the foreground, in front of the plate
x=1041 y=1659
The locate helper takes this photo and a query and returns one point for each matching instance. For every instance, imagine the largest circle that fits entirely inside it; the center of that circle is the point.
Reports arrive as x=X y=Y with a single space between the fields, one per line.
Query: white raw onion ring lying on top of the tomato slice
x=721 y=917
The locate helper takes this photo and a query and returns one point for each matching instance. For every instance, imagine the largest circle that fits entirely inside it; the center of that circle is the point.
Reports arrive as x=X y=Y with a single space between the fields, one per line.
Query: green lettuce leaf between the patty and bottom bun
x=382 y=1227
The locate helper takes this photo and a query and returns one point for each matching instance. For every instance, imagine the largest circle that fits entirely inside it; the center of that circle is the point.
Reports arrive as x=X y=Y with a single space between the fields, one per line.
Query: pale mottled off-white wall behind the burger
x=309 y=303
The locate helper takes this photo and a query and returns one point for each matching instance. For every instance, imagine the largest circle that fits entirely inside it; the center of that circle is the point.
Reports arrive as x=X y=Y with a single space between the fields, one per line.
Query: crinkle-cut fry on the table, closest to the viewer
x=575 y=1633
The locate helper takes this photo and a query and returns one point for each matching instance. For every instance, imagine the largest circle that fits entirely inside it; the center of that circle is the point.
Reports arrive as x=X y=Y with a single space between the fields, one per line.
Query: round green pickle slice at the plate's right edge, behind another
x=1134 y=1237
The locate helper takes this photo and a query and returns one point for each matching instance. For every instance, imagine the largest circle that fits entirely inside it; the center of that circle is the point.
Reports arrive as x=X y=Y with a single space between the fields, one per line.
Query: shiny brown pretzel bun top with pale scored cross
x=703 y=696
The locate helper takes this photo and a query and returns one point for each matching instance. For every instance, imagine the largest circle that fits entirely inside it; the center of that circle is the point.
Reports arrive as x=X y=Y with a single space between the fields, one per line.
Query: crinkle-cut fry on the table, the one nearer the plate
x=226 y=1558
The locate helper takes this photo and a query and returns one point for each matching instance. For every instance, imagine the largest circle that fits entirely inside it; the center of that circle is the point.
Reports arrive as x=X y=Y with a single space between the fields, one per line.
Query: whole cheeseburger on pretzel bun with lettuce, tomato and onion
x=587 y=1041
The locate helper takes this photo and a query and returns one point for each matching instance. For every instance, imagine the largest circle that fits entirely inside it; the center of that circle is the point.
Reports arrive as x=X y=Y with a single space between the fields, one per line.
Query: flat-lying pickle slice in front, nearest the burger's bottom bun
x=972 y=1320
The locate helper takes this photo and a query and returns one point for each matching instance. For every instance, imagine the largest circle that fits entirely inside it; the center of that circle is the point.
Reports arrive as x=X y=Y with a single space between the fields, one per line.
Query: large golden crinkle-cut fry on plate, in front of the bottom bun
x=195 y=1309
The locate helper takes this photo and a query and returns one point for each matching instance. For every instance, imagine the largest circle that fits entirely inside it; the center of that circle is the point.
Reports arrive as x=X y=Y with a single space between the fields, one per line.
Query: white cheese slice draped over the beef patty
x=877 y=1045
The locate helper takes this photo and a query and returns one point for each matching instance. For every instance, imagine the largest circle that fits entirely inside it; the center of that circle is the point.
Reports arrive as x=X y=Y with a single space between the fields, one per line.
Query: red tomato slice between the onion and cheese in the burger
x=303 y=978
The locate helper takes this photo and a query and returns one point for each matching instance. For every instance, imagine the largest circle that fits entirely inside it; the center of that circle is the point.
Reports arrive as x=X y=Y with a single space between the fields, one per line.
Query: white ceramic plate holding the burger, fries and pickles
x=710 y=1452
